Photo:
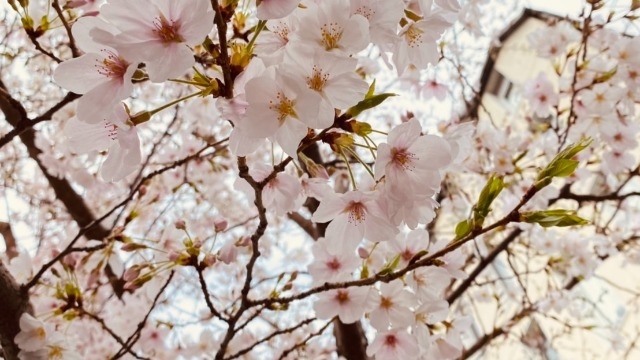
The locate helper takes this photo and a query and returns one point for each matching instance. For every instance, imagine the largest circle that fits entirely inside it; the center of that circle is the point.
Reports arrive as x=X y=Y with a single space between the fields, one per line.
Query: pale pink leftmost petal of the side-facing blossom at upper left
x=79 y=75
